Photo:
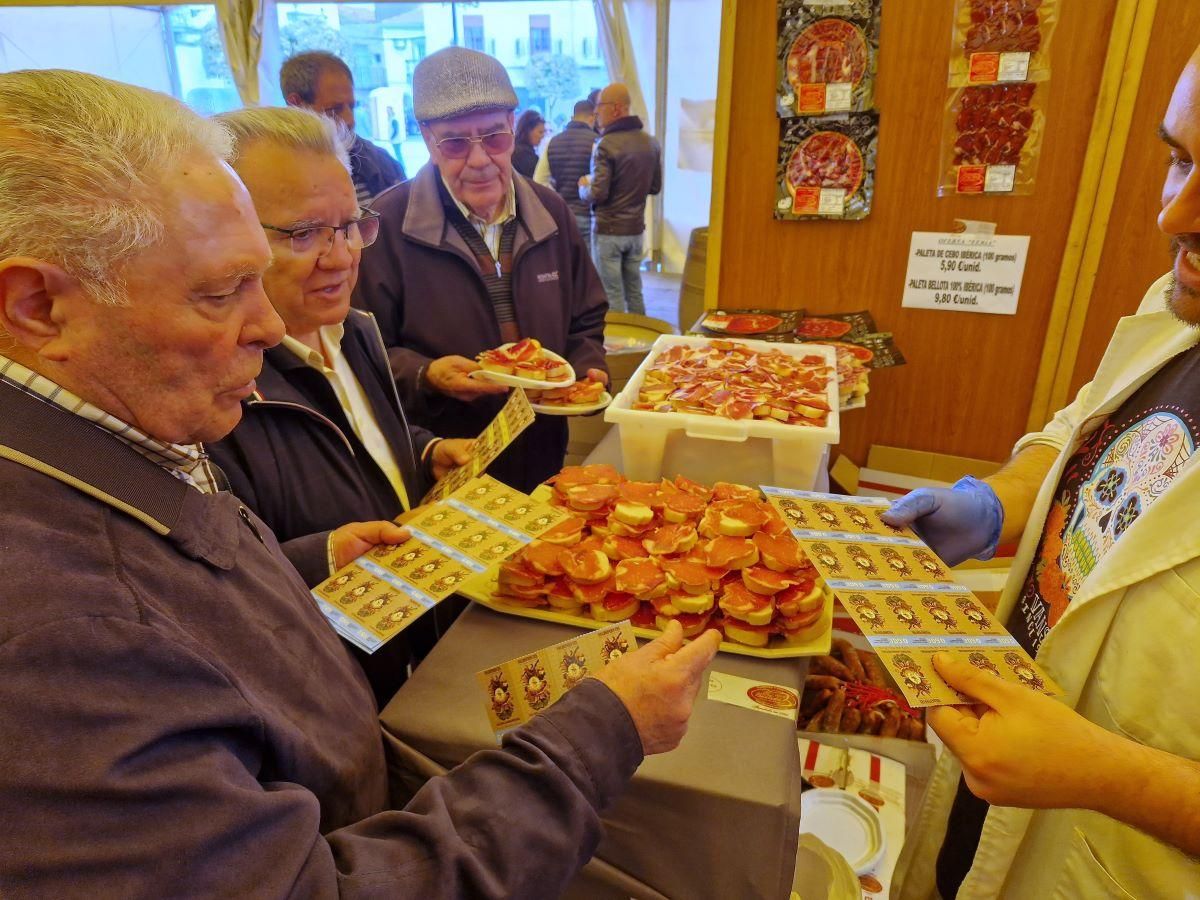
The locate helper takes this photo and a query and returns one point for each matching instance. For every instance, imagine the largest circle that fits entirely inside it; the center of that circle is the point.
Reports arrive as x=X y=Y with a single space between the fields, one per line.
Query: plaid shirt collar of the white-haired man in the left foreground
x=188 y=463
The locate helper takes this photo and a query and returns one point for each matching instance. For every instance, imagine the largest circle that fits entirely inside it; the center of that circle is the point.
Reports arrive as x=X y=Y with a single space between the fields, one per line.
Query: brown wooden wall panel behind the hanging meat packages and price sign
x=968 y=387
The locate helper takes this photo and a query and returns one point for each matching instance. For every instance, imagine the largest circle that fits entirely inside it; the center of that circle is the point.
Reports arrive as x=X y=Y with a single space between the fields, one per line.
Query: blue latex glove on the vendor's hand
x=958 y=524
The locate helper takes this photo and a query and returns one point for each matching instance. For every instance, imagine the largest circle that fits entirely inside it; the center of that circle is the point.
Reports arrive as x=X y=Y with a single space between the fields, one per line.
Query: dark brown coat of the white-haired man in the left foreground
x=181 y=721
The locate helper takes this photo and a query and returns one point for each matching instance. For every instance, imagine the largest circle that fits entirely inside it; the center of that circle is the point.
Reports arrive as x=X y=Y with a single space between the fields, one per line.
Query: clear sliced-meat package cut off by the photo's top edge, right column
x=1001 y=41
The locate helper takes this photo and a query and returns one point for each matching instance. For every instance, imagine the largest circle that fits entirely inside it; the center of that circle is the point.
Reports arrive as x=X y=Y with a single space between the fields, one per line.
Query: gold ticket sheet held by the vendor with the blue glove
x=903 y=597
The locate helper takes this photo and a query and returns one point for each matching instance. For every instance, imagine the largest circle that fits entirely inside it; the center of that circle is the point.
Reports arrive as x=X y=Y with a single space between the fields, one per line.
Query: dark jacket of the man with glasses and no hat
x=297 y=463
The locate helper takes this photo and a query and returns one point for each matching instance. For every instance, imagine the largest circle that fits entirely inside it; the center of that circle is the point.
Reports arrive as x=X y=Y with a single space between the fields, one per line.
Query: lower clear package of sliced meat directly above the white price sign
x=992 y=140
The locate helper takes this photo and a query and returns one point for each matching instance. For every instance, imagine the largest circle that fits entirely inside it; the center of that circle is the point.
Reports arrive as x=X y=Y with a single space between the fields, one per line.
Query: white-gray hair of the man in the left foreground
x=81 y=166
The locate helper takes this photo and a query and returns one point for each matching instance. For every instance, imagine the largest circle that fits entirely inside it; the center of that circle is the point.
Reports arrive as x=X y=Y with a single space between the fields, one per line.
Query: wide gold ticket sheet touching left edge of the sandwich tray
x=467 y=535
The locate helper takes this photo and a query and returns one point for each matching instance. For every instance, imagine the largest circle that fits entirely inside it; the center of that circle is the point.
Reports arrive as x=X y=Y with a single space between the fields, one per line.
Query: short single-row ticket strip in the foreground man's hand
x=524 y=687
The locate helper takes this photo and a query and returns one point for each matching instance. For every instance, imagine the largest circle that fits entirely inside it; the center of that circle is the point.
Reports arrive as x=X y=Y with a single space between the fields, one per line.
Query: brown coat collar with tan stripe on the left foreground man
x=70 y=449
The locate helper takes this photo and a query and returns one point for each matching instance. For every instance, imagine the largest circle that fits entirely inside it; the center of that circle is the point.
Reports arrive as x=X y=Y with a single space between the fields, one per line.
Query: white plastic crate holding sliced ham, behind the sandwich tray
x=657 y=445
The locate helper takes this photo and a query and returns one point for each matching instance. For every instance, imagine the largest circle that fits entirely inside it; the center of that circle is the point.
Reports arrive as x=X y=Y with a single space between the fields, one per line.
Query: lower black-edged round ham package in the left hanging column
x=827 y=167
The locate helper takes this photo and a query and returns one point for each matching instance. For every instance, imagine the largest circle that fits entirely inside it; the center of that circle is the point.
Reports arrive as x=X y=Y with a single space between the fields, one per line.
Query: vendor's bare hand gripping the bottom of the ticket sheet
x=1019 y=748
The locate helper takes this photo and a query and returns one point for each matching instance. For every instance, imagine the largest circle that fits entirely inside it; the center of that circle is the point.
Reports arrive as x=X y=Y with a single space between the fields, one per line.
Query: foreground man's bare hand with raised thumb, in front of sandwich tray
x=658 y=685
